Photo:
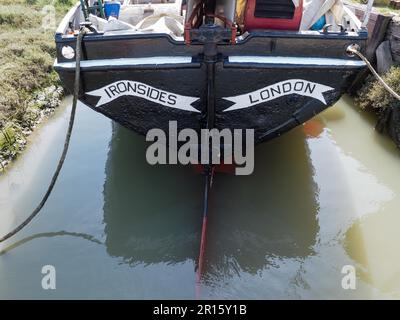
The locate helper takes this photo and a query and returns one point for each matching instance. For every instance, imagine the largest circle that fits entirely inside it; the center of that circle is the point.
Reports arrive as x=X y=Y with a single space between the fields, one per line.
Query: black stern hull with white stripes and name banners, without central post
x=259 y=84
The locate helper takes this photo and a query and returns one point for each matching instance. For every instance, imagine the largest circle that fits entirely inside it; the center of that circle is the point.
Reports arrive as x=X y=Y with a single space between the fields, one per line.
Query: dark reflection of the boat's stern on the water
x=152 y=214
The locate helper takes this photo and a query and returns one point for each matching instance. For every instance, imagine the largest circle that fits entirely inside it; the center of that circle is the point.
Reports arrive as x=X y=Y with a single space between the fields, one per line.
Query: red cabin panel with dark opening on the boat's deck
x=272 y=14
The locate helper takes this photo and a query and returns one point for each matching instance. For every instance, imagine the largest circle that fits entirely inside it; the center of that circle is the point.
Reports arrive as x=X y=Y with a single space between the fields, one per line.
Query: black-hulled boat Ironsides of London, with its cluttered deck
x=267 y=65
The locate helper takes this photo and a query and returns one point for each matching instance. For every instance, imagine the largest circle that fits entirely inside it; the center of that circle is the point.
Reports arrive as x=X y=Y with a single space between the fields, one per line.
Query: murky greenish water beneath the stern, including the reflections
x=322 y=196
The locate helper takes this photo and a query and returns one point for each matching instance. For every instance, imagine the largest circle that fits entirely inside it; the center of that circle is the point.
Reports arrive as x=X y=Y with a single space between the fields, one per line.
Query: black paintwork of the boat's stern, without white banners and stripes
x=268 y=119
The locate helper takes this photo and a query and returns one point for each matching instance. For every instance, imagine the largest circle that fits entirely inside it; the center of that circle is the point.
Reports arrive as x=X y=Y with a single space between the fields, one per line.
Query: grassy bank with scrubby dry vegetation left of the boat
x=28 y=85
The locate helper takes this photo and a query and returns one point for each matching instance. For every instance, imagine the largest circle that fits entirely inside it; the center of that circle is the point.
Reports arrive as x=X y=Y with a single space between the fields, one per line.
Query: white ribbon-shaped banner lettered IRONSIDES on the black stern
x=138 y=89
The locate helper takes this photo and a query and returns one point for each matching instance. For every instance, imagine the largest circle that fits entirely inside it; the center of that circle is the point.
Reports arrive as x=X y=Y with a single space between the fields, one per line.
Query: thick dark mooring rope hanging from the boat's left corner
x=78 y=51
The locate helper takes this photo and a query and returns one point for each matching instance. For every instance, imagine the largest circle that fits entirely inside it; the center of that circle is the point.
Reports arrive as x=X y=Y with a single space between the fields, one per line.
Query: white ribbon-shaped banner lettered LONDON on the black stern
x=279 y=89
